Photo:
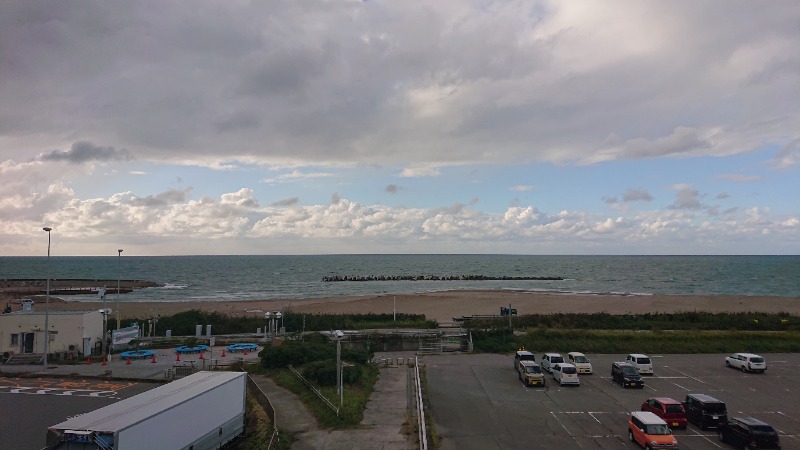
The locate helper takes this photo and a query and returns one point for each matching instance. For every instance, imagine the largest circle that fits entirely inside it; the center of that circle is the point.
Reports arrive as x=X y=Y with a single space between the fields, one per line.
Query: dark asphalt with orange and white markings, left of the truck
x=29 y=405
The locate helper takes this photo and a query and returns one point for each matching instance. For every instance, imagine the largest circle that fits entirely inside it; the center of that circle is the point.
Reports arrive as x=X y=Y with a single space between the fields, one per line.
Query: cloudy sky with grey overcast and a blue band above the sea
x=311 y=127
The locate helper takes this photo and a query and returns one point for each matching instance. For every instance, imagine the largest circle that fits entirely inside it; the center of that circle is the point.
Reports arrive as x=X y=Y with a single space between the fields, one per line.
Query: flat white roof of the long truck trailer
x=128 y=412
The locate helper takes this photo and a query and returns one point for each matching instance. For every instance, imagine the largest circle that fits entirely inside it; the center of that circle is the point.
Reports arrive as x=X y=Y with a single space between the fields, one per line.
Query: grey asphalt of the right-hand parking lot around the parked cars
x=477 y=402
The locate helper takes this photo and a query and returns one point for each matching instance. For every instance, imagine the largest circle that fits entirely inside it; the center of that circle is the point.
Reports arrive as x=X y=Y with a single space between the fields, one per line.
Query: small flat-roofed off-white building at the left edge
x=76 y=332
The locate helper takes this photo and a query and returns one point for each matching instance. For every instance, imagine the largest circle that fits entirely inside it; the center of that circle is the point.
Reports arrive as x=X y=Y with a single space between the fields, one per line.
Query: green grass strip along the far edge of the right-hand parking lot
x=626 y=341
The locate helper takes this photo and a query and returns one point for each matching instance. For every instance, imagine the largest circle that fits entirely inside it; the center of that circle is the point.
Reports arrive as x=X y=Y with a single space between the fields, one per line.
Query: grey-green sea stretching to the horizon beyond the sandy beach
x=231 y=278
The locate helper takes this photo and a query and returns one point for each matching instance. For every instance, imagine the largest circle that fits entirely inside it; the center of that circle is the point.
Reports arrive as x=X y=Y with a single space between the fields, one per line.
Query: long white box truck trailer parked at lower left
x=202 y=411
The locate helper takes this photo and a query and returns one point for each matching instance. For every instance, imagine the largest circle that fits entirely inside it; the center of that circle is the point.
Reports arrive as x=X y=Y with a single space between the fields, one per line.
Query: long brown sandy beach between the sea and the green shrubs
x=443 y=306
